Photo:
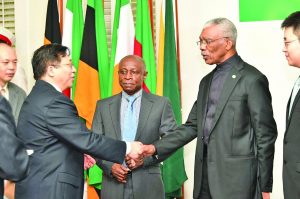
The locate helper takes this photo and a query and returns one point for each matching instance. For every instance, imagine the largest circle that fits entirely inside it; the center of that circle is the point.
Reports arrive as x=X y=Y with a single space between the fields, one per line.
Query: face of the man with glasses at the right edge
x=291 y=47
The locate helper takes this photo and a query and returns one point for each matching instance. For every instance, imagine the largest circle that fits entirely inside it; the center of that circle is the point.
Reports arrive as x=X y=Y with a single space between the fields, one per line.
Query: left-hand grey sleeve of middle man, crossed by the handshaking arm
x=97 y=127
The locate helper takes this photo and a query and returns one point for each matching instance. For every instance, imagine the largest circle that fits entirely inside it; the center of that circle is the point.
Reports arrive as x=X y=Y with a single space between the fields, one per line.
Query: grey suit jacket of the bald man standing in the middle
x=156 y=117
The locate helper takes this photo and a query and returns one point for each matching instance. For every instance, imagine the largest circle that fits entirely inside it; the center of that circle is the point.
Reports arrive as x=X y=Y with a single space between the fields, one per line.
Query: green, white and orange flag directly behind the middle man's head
x=122 y=41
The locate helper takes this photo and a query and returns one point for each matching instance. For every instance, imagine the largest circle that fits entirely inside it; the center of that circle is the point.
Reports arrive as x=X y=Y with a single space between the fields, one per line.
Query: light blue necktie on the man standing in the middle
x=130 y=123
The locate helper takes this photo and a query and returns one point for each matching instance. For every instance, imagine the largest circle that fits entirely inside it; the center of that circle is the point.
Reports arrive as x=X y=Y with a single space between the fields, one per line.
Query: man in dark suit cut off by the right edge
x=291 y=147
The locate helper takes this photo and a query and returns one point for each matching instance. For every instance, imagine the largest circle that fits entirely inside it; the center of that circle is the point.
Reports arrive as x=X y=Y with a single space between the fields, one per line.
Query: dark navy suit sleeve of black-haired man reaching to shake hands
x=63 y=122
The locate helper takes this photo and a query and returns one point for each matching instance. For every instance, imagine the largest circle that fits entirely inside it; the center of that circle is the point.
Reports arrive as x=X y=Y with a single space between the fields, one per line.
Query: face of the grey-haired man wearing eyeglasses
x=215 y=47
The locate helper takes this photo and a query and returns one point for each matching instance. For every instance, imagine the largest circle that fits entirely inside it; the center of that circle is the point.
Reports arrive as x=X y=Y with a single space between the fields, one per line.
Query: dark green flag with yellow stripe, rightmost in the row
x=173 y=171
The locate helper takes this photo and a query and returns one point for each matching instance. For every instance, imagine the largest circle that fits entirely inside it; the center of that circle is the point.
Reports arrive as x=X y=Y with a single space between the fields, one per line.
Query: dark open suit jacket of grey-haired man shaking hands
x=241 y=143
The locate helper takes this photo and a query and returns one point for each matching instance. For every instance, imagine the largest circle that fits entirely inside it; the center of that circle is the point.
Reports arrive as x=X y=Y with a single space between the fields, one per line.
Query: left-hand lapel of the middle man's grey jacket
x=114 y=109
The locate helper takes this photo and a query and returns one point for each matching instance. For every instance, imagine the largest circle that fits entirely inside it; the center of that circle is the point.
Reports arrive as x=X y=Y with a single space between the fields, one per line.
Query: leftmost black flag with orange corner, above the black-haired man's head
x=52 y=30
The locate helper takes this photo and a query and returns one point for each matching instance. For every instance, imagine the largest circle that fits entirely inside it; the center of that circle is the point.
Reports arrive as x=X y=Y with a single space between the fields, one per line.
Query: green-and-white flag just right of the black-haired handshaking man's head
x=73 y=31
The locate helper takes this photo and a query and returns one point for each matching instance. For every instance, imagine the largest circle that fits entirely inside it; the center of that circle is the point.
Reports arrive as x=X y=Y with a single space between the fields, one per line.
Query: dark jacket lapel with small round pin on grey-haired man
x=230 y=82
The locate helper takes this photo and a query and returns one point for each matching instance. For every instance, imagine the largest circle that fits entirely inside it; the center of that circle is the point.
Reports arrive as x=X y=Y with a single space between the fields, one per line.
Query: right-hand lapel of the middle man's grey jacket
x=146 y=106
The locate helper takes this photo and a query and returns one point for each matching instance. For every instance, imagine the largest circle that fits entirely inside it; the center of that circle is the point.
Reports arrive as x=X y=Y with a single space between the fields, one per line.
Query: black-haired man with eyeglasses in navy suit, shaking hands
x=50 y=127
